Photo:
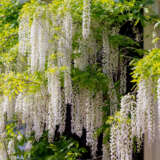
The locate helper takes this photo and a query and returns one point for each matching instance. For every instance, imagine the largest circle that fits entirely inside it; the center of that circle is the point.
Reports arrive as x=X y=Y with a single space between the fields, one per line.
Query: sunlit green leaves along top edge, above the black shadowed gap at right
x=117 y=13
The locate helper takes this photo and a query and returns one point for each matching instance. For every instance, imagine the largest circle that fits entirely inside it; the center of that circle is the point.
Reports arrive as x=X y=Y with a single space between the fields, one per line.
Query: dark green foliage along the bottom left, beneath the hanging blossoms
x=63 y=148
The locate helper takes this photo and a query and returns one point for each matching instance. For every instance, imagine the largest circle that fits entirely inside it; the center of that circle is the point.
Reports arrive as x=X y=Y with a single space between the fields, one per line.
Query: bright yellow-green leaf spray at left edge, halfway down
x=12 y=84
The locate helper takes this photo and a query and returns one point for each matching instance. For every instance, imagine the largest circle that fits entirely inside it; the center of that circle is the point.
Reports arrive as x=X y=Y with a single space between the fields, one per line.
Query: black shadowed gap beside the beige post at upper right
x=136 y=34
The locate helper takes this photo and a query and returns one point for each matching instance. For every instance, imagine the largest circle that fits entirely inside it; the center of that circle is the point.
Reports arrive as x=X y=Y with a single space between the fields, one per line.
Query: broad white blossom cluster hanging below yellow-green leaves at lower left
x=32 y=110
